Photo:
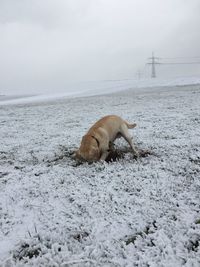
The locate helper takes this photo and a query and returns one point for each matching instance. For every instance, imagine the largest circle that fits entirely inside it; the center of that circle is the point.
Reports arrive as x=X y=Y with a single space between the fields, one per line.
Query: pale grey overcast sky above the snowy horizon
x=45 y=44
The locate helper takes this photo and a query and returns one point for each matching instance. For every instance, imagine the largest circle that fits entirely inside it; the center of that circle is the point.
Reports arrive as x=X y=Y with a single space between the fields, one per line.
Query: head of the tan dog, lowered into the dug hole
x=89 y=150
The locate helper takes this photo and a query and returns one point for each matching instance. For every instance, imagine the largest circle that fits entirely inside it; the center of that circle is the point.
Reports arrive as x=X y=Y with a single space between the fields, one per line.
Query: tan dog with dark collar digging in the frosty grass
x=95 y=145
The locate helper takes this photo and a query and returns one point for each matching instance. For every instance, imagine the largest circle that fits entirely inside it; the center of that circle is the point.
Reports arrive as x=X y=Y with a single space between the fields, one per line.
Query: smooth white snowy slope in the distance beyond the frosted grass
x=98 y=88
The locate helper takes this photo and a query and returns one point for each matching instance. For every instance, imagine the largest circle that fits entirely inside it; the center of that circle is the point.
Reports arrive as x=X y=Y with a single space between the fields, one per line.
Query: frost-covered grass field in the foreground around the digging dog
x=55 y=212
